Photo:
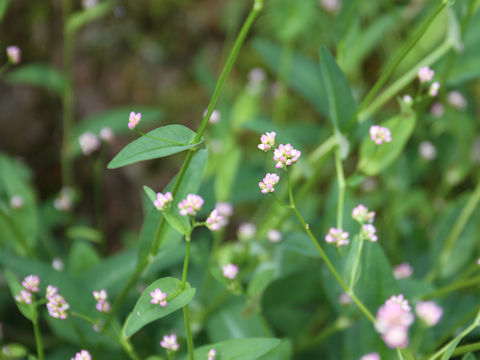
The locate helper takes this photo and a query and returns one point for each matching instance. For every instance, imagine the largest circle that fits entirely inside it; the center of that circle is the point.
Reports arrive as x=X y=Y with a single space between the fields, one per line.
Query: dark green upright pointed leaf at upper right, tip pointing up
x=341 y=105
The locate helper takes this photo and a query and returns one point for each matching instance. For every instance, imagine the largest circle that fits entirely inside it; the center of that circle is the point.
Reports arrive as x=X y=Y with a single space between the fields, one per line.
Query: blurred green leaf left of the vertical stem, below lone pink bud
x=41 y=75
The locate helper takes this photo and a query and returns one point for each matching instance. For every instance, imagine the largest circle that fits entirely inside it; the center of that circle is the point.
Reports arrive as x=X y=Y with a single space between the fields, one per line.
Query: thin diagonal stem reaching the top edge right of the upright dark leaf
x=394 y=64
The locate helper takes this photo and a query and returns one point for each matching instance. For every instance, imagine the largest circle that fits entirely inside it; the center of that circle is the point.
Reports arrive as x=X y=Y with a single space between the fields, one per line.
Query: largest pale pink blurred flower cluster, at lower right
x=393 y=320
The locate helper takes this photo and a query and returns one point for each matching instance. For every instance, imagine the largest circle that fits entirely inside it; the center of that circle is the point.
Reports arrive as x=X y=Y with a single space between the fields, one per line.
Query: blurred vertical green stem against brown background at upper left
x=67 y=97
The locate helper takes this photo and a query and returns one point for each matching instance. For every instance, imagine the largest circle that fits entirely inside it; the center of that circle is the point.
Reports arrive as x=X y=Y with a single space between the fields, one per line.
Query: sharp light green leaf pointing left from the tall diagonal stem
x=158 y=143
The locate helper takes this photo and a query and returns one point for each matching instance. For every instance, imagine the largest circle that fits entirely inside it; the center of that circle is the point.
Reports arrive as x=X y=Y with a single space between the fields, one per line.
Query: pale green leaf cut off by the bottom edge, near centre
x=238 y=349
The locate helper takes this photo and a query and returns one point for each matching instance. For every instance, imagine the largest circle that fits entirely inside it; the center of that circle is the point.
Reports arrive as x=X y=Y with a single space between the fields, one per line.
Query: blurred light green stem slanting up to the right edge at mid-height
x=455 y=233
